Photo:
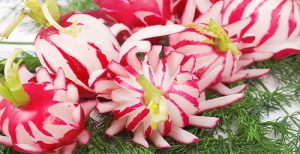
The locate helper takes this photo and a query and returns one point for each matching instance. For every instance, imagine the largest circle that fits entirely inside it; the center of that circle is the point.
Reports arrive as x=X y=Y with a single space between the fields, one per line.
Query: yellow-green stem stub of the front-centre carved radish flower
x=154 y=100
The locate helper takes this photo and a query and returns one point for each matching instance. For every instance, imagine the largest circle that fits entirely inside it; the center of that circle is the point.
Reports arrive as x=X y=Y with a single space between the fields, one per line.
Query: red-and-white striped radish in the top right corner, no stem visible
x=262 y=28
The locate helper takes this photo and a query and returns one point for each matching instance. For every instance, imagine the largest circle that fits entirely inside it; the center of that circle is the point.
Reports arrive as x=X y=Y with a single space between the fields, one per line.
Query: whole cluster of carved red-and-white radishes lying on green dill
x=154 y=90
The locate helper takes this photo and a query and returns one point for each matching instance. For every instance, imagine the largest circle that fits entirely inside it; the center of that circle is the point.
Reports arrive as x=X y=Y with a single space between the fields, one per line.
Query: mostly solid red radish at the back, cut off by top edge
x=133 y=13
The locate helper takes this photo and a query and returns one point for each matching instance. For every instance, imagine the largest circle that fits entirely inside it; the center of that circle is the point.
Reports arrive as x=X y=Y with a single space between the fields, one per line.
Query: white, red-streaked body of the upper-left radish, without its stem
x=92 y=48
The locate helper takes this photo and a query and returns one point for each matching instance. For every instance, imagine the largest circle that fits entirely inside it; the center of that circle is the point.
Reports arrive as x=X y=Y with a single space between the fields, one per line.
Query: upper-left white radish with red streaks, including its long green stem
x=76 y=42
